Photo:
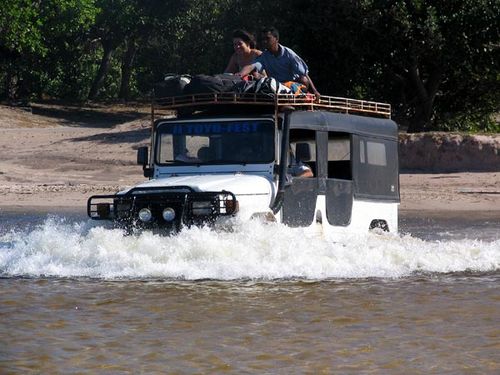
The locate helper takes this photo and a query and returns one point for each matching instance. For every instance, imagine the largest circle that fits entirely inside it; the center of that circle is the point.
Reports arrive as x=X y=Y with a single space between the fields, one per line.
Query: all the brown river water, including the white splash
x=76 y=297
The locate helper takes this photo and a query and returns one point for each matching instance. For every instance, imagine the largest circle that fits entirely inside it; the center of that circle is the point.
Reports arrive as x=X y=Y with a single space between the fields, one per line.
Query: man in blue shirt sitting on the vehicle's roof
x=280 y=62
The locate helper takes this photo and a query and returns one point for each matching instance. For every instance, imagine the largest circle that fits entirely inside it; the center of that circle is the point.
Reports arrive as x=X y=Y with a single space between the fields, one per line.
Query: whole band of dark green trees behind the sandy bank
x=436 y=62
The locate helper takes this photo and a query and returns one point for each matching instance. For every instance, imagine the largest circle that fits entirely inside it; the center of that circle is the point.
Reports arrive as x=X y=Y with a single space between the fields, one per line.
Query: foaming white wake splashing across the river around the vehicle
x=61 y=249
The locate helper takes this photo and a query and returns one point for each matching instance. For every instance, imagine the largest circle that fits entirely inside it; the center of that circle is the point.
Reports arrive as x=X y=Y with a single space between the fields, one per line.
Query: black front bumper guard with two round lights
x=190 y=207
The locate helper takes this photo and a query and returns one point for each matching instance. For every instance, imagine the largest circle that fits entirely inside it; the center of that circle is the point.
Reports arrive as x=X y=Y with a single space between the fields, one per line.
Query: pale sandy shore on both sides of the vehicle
x=53 y=159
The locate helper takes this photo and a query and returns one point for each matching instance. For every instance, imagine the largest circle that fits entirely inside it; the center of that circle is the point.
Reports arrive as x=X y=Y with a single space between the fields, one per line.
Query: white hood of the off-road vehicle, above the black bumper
x=238 y=184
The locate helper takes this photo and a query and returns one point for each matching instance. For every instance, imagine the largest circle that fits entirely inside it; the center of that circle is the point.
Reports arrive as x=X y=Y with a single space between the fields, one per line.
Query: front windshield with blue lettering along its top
x=216 y=142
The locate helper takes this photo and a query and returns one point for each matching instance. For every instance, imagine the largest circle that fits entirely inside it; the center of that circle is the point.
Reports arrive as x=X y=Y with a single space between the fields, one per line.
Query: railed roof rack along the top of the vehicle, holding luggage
x=278 y=101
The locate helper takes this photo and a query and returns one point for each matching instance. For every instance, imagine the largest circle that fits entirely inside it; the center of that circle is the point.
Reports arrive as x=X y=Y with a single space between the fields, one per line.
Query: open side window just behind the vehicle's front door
x=339 y=156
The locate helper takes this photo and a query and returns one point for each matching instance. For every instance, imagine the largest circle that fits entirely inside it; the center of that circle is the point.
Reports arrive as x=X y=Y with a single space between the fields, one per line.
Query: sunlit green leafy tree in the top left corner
x=42 y=43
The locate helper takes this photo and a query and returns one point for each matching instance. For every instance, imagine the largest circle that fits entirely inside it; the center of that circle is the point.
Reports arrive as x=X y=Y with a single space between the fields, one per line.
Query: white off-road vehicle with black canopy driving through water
x=227 y=156
